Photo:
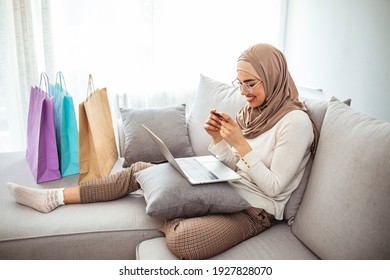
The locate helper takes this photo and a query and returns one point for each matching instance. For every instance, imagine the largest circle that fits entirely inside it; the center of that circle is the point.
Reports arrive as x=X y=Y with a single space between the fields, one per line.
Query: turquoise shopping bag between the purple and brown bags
x=67 y=135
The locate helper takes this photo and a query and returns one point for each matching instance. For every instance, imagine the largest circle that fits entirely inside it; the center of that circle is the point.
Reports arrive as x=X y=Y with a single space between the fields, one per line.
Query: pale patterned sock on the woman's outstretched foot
x=38 y=199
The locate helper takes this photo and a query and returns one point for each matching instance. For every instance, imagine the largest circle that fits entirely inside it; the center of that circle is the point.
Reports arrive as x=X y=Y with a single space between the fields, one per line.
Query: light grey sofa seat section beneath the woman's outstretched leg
x=107 y=230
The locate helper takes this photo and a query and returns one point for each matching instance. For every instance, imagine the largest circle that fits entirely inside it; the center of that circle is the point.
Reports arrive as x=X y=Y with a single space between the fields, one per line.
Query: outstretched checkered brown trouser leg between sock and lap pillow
x=113 y=186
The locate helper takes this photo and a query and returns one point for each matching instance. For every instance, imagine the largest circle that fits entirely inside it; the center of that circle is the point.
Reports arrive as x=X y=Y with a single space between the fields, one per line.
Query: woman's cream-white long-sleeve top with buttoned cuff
x=275 y=166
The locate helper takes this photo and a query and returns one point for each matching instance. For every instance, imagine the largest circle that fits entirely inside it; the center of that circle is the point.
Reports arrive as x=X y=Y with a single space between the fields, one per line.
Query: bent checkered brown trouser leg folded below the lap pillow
x=208 y=236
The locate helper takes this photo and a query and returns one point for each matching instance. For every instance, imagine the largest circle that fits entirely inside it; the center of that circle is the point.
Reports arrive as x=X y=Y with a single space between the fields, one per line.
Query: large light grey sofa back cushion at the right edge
x=345 y=209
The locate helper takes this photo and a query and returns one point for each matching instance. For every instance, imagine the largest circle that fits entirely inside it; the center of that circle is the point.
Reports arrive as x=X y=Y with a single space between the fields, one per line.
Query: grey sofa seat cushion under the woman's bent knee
x=276 y=243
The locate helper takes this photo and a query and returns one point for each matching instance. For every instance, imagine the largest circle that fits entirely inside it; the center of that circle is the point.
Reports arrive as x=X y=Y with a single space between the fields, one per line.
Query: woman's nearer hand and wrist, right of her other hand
x=232 y=134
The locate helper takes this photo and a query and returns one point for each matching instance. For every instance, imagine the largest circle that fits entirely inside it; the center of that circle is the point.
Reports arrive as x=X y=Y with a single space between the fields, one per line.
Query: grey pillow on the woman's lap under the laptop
x=169 y=195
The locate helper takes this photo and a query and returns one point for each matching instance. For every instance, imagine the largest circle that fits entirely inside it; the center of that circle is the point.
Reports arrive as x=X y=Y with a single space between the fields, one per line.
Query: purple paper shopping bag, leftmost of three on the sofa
x=41 y=152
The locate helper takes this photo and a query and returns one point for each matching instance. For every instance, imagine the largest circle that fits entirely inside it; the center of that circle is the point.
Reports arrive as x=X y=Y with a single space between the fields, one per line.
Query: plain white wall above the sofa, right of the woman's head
x=343 y=47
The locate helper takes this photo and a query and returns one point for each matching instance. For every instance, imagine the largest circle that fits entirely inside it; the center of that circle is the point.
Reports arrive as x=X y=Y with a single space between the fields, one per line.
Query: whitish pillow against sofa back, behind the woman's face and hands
x=210 y=94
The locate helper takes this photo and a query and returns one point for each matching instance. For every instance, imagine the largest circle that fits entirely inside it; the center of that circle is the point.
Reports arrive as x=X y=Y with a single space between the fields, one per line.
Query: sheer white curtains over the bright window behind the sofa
x=146 y=52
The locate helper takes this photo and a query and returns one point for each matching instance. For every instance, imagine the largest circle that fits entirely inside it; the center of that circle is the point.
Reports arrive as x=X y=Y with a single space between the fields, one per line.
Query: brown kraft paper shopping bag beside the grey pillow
x=97 y=146
